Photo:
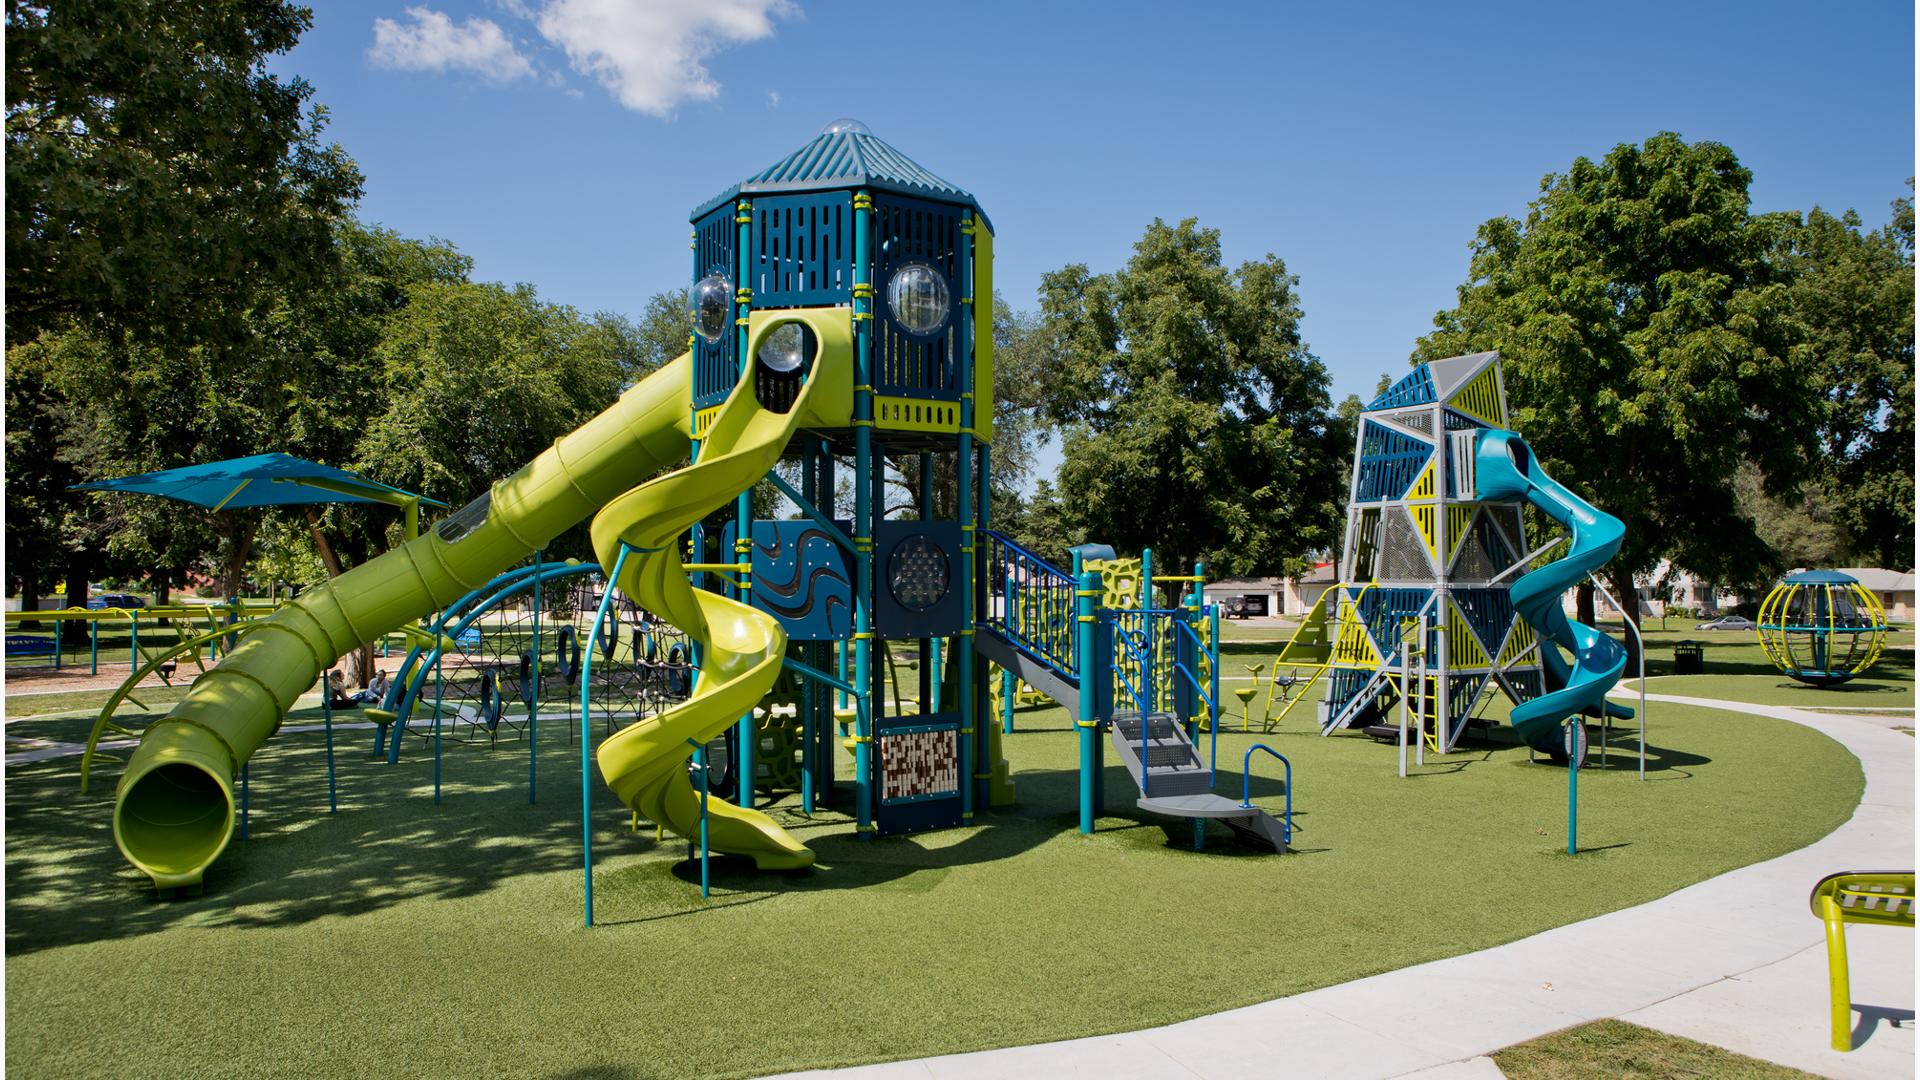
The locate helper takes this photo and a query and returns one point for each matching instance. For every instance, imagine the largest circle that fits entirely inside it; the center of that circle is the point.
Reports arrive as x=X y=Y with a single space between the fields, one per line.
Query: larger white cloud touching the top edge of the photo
x=652 y=55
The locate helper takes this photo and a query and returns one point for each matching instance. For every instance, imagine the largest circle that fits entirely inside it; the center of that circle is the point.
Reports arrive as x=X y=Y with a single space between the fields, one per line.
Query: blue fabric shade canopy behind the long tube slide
x=264 y=479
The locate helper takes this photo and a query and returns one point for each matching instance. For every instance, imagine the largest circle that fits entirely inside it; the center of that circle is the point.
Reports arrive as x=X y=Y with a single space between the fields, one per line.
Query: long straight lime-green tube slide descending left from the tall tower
x=174 y=812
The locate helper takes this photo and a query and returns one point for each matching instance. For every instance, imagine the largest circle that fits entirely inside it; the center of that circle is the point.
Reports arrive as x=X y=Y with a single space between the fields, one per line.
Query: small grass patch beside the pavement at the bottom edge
x=1616 y=1050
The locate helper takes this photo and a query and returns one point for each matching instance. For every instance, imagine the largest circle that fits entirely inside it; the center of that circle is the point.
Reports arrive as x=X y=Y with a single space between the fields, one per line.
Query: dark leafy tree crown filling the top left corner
x=158 y=176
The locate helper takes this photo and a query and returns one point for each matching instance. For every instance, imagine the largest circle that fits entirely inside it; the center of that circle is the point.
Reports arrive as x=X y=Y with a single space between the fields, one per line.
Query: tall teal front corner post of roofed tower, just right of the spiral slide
x=863 y=512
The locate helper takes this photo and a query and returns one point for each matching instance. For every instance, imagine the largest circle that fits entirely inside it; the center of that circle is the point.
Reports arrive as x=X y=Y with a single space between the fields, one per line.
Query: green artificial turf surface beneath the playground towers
x=444 y=941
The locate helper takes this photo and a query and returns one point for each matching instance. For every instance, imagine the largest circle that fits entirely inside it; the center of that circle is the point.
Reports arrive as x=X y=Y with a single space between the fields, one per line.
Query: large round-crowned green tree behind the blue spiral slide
x=1648 y=349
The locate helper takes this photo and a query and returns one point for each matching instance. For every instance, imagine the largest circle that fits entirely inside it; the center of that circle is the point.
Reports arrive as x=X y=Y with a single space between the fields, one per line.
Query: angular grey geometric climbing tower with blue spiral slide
x=1437 y=606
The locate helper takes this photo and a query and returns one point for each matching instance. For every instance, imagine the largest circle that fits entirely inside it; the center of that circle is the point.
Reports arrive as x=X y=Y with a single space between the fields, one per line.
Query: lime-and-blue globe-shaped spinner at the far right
x=1823 y=627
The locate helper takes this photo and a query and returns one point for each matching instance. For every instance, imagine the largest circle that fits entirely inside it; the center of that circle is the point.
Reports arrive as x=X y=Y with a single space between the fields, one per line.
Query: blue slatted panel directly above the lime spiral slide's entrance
x=802 y=251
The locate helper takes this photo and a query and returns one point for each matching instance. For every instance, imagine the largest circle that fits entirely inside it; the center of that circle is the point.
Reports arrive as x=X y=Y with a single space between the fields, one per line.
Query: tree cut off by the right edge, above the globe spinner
x=1854 y=291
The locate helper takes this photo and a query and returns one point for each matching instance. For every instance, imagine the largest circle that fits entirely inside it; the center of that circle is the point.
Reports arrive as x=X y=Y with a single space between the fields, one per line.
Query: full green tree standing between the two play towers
x=1195 y=418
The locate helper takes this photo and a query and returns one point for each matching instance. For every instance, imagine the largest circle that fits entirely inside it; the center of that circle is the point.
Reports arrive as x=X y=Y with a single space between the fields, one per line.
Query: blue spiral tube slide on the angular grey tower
x=1506 y=470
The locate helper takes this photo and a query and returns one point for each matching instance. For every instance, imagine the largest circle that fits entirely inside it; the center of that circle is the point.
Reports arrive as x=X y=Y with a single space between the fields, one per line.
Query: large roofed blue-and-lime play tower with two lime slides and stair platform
x=834 y=320
